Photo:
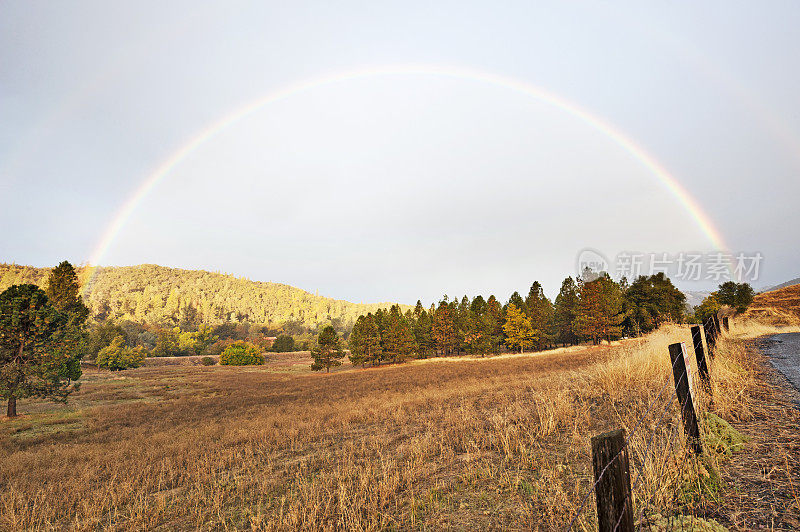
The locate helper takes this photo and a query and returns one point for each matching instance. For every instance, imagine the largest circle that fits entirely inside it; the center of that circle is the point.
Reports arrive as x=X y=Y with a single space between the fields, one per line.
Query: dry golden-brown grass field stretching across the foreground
x=496 y=443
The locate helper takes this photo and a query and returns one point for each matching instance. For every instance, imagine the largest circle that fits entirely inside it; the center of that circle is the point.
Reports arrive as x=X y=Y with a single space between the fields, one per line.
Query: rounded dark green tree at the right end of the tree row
x=650 y=301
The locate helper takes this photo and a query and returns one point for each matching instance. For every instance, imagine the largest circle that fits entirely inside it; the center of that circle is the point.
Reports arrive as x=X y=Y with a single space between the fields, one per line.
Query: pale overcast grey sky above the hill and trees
x=401 y=183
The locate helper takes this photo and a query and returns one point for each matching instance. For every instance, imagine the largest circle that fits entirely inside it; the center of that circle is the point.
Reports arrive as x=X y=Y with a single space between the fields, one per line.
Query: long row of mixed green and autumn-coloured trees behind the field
x=592 y=307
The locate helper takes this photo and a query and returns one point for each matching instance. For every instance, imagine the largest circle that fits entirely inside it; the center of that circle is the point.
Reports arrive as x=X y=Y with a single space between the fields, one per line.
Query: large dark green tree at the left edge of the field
x=38 y=348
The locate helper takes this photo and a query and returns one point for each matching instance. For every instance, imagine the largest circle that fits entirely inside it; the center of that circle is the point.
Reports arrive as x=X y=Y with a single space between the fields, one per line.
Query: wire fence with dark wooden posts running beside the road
x=615 y=495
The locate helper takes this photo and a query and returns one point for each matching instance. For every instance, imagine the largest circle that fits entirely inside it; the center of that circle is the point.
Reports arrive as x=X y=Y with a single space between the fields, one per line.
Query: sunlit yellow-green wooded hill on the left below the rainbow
x=158 y=295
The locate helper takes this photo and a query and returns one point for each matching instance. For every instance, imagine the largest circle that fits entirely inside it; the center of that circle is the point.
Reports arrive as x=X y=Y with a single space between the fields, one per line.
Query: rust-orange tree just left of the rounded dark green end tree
x=600 y=313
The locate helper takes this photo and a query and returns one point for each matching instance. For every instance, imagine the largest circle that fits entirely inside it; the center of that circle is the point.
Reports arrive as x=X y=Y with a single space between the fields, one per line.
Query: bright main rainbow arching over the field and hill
x=198 y=140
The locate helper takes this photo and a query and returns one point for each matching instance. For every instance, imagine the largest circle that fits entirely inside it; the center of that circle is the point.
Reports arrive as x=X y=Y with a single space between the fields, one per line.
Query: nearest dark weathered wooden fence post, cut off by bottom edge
x=612 y=482
